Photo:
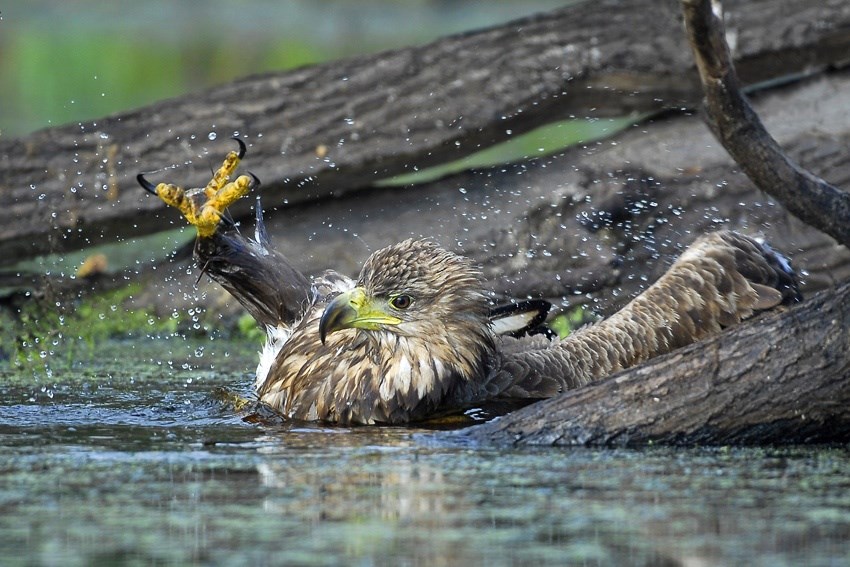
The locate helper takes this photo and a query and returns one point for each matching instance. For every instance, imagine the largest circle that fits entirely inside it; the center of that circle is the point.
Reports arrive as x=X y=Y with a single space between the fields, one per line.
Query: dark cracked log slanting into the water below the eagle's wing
x=783 y=378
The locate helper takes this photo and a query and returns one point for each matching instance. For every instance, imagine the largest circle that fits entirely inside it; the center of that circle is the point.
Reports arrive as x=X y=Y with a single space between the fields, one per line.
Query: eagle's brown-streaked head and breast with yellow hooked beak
x=411 y=337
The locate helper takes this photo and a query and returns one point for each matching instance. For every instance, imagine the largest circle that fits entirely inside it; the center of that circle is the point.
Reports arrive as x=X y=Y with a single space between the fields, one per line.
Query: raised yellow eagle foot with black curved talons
x=204 y=207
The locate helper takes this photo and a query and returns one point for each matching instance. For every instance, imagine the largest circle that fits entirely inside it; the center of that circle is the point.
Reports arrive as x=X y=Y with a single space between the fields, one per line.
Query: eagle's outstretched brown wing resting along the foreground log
x=722 y=278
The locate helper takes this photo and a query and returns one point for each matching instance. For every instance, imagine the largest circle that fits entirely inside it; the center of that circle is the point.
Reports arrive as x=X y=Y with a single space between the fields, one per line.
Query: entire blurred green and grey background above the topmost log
x=68 y=61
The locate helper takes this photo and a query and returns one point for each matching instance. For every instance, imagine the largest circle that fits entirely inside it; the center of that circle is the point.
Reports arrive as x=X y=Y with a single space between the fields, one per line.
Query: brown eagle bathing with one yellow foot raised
x=415 y=336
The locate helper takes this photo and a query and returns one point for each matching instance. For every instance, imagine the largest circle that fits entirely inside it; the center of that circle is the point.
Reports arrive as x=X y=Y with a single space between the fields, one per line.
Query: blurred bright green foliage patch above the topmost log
x=122 y=73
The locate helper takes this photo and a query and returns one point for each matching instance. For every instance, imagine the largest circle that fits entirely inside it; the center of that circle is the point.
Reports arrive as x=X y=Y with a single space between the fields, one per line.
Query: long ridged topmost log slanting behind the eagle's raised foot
x=342 y=125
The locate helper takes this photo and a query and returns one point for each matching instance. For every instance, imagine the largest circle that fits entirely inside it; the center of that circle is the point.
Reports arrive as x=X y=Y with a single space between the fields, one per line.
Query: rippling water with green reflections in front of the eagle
x=132 y=460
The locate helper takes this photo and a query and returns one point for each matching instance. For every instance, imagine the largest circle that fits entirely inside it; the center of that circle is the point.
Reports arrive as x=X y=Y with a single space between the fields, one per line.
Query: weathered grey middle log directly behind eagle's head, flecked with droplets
x=594 y=225
